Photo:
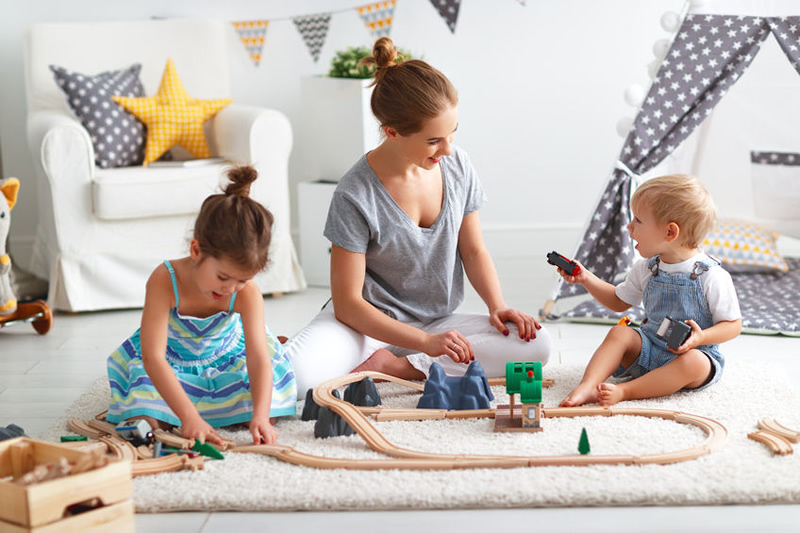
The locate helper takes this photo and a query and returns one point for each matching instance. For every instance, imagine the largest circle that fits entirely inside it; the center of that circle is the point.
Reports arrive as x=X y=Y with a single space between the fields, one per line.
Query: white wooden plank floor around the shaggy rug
x=41 y=375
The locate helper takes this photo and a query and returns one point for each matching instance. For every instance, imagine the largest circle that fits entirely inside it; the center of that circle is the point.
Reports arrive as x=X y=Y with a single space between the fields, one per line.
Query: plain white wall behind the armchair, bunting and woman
x=540 y=89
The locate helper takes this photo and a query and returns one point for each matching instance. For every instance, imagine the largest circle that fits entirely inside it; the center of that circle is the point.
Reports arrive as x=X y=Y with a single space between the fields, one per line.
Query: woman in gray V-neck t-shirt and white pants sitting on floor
x=404 y=227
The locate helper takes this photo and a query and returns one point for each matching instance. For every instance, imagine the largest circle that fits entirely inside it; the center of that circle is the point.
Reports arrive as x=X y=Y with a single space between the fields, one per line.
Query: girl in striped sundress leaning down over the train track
x=201 y=358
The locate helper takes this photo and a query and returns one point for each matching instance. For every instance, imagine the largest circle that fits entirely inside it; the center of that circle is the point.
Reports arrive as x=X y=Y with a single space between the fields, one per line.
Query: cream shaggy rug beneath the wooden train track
x=742 y=472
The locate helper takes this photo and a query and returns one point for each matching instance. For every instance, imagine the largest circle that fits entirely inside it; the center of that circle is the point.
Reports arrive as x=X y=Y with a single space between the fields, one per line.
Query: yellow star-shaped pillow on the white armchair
x=173 y=117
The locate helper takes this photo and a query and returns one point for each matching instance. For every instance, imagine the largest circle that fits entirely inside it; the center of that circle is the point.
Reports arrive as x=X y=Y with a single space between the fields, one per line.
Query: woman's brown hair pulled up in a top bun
x=407 y=92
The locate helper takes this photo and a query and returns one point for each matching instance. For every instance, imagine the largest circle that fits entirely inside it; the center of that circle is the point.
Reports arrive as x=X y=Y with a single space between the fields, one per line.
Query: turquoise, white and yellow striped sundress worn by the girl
x=208 y=357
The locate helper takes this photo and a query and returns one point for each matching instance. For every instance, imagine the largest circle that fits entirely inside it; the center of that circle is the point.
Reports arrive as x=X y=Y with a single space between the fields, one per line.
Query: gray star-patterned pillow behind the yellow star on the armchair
x=117 y=136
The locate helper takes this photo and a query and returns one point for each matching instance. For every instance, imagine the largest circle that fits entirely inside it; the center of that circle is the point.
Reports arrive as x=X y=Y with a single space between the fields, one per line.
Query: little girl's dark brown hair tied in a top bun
x=233 y=226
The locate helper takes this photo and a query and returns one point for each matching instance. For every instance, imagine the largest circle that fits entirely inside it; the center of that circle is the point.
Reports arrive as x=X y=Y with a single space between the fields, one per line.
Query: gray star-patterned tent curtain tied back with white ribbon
x=708 y=55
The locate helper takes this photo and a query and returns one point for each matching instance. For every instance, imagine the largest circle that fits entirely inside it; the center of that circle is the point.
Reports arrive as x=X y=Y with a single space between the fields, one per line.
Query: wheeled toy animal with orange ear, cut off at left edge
x=11 y=311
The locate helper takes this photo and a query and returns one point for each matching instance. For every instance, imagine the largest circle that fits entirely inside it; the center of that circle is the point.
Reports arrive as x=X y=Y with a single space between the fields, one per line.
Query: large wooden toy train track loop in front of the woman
x=402 y=458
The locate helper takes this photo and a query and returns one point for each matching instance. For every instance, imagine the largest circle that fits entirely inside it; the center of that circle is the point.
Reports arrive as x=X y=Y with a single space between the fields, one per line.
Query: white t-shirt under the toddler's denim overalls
x=717 y=284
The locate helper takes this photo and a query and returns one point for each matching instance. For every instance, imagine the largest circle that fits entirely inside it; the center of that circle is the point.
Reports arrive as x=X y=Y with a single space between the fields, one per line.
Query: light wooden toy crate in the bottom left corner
x=47 y=506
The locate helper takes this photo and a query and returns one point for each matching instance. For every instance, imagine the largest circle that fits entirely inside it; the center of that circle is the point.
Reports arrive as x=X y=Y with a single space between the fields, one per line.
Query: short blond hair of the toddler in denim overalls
x=680 y=199
